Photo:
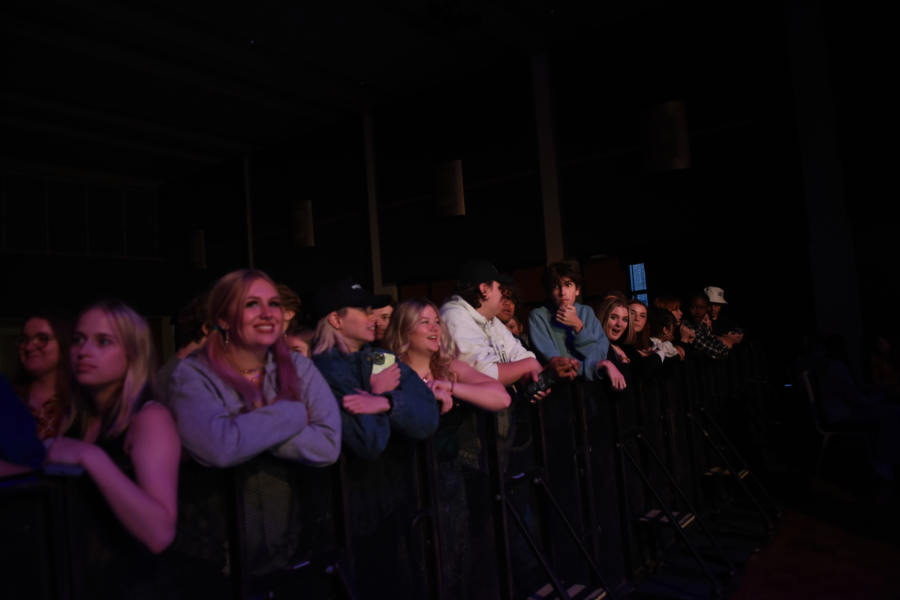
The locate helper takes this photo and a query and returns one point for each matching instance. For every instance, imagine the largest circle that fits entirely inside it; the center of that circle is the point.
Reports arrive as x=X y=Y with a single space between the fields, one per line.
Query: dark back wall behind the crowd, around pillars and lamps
x=735 y=219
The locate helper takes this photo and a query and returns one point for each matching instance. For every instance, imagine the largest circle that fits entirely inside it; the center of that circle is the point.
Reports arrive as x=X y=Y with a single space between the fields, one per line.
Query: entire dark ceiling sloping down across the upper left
x=140 y=93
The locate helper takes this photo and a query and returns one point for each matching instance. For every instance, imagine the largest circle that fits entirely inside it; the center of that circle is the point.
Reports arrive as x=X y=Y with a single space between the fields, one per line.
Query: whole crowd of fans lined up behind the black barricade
x=249 y=378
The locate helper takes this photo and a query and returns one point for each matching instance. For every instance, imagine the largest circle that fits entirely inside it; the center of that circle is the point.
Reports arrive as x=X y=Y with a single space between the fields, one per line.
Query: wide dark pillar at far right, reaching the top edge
x=831 y=247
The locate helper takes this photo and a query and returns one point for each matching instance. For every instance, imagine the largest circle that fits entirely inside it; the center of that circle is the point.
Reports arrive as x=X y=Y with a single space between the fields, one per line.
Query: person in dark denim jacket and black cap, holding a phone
x=379 y=395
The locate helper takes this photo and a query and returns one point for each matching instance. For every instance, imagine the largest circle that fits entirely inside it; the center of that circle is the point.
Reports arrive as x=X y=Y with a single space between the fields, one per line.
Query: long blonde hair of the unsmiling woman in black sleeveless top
x=139 y=382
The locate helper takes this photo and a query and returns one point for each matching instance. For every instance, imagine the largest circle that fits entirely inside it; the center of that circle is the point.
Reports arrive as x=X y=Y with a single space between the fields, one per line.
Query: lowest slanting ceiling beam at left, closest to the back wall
x=227 y=146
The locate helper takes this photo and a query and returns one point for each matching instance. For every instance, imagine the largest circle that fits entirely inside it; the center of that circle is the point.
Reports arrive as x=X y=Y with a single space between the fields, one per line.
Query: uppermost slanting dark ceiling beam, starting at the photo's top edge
x=295 y=72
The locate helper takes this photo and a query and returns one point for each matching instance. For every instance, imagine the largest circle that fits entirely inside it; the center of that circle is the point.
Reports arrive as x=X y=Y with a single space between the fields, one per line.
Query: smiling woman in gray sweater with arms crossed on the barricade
x=245 y=393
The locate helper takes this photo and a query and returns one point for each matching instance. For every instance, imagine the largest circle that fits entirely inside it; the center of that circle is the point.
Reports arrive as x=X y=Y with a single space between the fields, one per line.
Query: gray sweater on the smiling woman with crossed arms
x=215 y=431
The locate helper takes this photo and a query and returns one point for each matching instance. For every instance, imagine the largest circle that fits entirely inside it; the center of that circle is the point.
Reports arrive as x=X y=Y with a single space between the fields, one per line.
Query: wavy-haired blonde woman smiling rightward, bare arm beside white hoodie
x=419 y=338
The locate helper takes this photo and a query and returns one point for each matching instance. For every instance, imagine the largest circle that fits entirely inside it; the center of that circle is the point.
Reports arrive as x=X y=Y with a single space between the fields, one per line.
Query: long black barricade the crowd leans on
x=580 y=496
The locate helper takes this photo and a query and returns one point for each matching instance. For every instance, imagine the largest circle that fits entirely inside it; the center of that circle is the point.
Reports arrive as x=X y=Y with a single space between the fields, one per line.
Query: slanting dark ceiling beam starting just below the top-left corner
x=117 y=54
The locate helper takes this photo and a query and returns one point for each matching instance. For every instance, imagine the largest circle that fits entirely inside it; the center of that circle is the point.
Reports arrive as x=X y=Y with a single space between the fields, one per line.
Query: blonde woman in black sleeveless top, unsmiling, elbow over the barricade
x=116 y=420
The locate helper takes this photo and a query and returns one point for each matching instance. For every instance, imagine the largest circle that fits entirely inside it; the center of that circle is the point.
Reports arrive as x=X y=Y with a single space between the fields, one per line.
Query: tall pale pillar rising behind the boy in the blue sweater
x=546 y=130
